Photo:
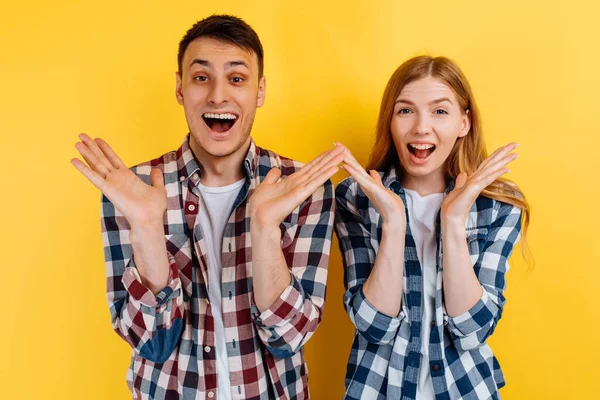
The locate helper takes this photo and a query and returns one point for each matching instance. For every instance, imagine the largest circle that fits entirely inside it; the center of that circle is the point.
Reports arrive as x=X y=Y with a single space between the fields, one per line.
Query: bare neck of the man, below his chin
x=220 y=170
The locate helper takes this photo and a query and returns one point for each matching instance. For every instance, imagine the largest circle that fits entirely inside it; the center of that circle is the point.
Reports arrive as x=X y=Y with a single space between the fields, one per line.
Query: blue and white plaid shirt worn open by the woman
x=385 y=357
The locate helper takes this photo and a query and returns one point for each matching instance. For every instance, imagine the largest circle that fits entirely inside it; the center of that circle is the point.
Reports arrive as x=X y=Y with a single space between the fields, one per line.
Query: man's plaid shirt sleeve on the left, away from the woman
x=151 y=324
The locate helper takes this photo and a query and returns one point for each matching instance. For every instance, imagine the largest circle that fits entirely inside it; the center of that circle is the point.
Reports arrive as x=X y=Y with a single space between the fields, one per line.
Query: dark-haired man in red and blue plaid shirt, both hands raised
x=216 y=253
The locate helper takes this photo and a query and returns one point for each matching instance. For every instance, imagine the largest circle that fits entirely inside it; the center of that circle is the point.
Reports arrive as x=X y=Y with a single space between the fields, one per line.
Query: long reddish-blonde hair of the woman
x=468 y=152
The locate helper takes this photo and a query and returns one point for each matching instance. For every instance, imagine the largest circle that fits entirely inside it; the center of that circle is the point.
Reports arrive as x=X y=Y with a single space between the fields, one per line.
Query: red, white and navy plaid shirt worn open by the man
x=172 y=334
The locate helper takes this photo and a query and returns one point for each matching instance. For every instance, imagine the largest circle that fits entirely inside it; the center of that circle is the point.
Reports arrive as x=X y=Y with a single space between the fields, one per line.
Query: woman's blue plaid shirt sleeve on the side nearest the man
x=358 y=248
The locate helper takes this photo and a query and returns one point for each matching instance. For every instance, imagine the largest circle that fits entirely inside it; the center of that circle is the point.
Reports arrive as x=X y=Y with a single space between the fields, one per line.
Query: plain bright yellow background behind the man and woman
x=108 y=69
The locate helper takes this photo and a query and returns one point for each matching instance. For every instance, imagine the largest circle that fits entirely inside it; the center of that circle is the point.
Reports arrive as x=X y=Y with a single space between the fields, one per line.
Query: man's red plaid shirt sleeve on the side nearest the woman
x=293 y=318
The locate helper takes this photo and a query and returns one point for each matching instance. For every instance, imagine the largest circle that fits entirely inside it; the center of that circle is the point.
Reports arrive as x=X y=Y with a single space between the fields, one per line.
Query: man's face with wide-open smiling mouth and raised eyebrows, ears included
x=219 y=89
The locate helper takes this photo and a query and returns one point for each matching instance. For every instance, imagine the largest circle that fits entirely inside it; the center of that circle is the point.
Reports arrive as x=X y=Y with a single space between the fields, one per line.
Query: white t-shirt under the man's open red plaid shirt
x=216 y=204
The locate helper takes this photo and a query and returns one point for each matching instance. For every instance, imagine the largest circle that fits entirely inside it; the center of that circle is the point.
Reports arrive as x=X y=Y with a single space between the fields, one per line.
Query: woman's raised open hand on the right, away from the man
x=458 y=203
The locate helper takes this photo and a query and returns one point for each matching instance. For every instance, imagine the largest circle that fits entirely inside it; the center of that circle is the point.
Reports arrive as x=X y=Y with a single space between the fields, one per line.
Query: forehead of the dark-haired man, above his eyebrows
x=218 y=53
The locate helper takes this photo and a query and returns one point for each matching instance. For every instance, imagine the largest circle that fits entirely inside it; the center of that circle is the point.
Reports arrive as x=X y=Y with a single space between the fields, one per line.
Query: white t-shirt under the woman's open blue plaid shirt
x=422 y=212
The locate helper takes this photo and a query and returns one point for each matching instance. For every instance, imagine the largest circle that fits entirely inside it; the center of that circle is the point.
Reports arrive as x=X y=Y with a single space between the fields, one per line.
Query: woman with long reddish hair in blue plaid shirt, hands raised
x=425 y=236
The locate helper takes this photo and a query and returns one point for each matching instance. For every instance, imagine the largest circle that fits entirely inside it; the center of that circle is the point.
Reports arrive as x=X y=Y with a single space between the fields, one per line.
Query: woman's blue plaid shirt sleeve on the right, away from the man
x=472 y=328
